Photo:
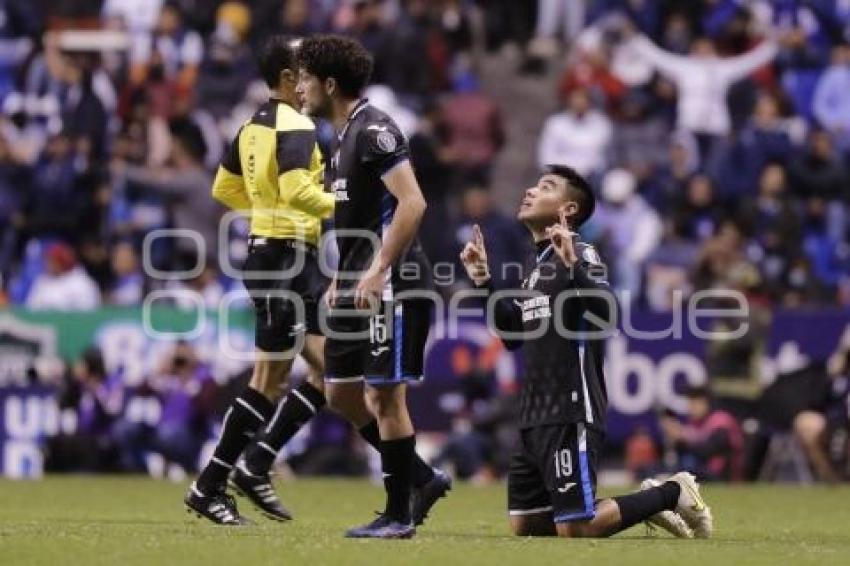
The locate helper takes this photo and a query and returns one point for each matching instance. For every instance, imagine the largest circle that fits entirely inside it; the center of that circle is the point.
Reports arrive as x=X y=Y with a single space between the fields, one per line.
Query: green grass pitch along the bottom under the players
x=128 y=521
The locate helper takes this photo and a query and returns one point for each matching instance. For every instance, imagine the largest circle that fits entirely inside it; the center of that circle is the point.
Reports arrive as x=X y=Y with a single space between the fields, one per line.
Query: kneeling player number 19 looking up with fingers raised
x=560 y=316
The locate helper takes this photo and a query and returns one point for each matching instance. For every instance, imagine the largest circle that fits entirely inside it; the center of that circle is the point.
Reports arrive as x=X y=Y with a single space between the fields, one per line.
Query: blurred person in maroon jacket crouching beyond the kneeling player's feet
x=710 y=442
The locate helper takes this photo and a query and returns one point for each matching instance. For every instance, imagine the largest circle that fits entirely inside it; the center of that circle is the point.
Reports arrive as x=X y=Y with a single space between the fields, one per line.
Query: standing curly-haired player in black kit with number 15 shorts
x=378 y=209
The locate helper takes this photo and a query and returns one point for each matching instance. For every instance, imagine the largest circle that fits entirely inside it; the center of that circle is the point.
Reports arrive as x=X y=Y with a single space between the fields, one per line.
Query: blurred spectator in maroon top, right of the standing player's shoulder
x=474 y=132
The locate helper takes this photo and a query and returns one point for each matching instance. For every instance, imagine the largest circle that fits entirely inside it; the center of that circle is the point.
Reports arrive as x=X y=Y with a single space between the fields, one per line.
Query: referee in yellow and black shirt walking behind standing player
x=273 y=173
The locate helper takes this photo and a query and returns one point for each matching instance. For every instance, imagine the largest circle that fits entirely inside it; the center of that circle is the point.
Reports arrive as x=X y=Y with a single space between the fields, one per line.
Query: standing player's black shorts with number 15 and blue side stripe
x=390 y=348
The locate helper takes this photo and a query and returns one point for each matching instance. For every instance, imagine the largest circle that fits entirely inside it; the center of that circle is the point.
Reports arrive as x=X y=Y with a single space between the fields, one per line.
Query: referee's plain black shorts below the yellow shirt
x=286 y=296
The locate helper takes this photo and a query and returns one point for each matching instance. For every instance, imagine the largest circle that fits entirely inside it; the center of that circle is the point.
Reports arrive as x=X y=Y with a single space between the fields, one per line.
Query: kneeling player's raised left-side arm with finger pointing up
x=507 y=316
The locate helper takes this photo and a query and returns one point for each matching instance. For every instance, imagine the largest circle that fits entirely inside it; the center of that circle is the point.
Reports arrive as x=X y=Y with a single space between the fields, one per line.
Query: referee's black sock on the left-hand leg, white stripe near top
x=247 y=413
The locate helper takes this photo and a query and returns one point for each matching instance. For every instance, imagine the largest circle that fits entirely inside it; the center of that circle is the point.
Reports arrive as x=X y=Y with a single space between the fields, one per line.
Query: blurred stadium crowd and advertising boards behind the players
x=105 y=137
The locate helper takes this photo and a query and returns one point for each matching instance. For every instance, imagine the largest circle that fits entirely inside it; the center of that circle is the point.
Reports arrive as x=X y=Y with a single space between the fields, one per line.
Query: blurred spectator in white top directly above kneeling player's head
x=579 y=137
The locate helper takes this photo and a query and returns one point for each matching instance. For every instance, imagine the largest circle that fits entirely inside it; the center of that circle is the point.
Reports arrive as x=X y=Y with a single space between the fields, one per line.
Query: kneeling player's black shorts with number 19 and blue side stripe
x=554 y=471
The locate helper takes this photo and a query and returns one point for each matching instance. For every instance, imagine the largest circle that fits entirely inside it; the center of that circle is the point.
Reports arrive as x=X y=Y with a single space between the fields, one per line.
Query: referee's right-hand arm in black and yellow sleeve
x=299 y=164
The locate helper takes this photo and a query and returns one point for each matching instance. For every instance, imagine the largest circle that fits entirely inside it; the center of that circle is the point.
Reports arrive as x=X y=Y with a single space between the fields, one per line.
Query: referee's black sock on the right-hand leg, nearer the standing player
x=295 y=411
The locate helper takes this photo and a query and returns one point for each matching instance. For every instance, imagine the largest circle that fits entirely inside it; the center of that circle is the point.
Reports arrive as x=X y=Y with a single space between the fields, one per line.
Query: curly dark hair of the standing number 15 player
x=337 y=57
